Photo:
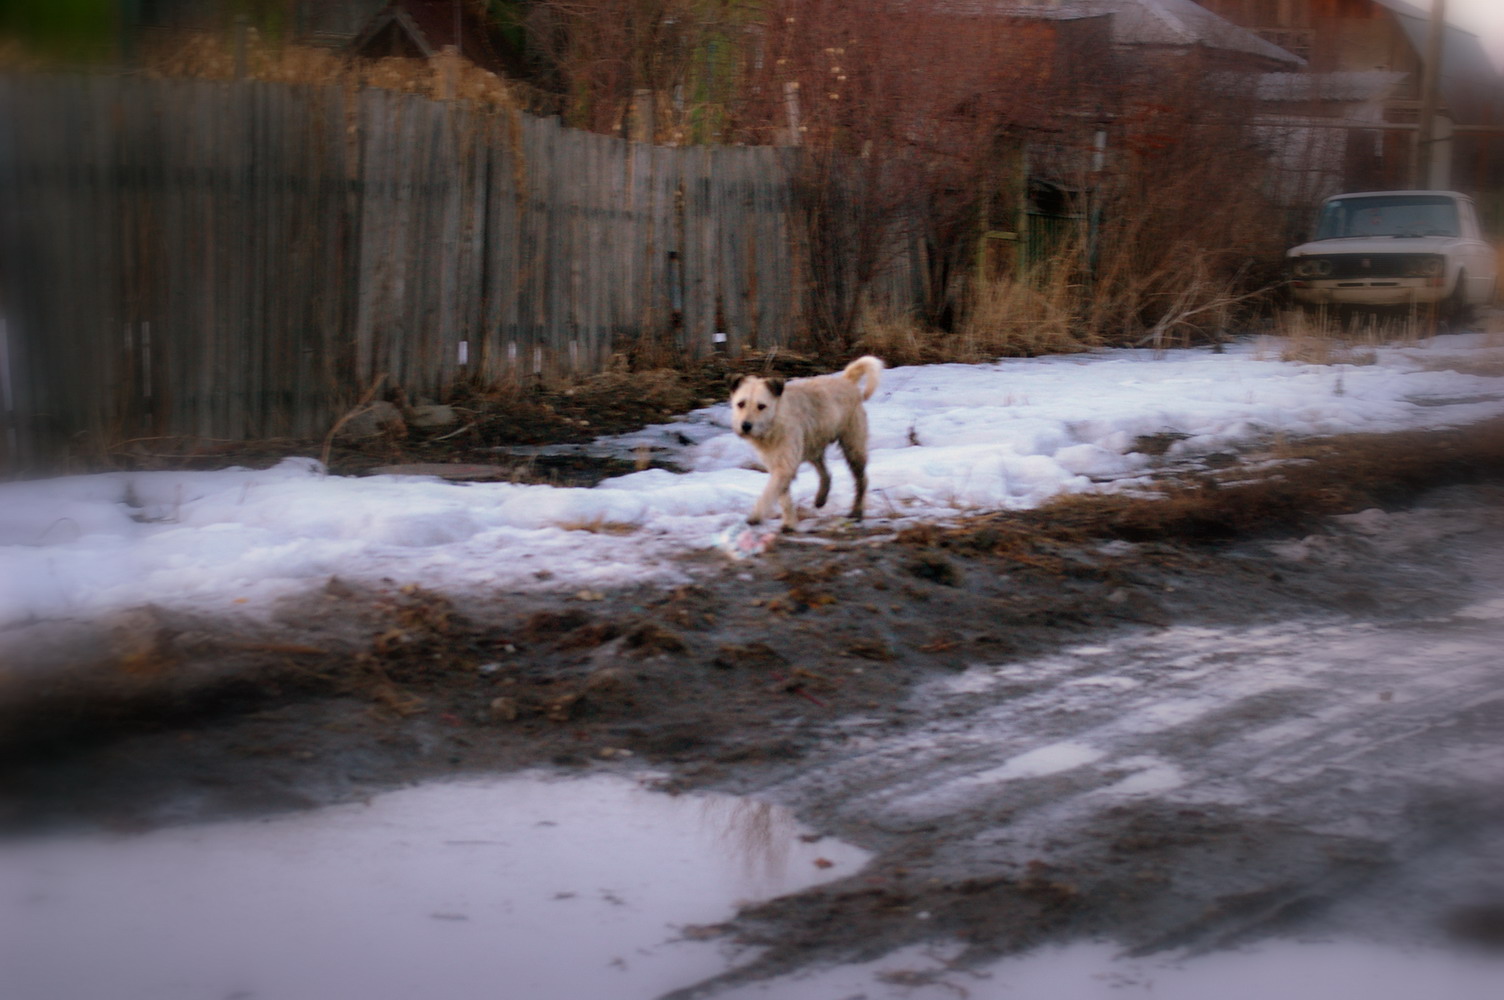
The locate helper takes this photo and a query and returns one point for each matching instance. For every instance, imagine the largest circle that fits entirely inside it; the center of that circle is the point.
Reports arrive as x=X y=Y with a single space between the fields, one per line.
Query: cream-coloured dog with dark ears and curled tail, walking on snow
x=796 y=422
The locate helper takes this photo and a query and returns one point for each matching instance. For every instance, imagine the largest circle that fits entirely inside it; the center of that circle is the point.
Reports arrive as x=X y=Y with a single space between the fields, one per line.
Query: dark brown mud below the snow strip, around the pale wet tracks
x=772 y=676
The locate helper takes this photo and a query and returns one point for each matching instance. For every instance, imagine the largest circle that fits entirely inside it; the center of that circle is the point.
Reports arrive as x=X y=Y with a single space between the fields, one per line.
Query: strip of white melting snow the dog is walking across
x=945 y=440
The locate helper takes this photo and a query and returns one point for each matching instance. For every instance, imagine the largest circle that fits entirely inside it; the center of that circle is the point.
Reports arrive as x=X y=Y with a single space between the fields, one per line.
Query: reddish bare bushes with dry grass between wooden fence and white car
x=1180 y=237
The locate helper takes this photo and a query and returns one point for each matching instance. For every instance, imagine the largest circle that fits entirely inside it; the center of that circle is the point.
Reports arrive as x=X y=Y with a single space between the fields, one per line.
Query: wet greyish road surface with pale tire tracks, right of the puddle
x=1196 y=786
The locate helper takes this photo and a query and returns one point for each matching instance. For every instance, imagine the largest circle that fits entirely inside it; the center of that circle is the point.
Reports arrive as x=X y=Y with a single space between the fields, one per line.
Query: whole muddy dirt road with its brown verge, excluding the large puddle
x=1046 y=726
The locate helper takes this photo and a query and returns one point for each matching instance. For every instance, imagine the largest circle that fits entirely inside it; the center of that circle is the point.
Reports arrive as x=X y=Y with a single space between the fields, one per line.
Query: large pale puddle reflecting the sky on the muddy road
x=521 y=888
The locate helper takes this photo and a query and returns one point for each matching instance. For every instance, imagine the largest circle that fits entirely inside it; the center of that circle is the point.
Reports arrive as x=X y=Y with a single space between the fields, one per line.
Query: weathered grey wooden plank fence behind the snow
x=243 y=261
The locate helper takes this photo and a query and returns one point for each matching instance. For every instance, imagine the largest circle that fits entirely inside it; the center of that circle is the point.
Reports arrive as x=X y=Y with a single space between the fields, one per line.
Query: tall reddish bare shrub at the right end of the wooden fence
x=900 y=112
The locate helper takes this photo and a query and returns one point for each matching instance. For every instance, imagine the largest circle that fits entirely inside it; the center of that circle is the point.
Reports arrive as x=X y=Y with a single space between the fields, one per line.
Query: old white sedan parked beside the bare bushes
x=1384 y=249
